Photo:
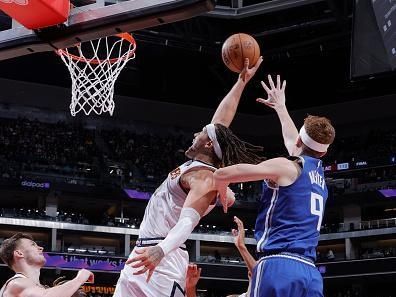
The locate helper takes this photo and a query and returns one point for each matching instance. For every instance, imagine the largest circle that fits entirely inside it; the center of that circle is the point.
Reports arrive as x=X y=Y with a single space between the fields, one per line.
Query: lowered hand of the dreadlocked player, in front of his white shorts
x=148 y=258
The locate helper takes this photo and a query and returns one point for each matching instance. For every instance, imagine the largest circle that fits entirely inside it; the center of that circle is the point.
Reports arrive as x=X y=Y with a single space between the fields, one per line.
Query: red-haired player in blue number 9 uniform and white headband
x=291 y=206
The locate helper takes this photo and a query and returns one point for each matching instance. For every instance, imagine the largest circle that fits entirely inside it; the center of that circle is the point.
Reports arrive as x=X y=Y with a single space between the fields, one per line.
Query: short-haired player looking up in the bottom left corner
x=26 y=259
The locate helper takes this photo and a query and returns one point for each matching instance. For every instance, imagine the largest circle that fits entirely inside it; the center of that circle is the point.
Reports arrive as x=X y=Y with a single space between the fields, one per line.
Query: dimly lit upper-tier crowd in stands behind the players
x=141 y=161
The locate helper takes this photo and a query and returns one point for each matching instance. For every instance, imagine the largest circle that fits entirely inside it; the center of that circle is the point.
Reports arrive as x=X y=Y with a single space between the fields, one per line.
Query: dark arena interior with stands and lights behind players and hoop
x=80 y=184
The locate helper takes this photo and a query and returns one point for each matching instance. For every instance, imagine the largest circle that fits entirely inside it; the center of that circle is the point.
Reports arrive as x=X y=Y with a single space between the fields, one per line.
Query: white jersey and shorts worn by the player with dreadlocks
x=162 y=214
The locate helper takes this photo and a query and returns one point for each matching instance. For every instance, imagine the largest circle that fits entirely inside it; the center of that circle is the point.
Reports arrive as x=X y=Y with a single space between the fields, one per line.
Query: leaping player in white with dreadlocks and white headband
x=157 y=265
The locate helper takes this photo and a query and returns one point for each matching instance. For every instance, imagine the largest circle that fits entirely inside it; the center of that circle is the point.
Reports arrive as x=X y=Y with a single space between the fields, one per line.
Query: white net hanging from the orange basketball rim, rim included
x=94 y=68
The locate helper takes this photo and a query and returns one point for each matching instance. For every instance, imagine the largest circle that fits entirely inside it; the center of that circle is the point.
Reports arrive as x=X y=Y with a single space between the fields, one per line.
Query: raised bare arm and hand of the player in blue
x=277 y=100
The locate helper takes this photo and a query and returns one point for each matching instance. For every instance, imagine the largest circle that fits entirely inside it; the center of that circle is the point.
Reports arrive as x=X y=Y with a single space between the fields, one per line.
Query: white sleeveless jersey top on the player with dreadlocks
x=163 y=210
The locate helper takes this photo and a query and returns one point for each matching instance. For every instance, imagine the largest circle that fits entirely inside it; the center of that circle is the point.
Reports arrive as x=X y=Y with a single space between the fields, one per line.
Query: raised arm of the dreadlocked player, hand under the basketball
x=227 y=108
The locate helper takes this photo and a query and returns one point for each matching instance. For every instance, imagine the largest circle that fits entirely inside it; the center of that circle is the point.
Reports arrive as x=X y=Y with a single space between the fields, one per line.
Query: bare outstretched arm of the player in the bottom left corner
x=24 y=287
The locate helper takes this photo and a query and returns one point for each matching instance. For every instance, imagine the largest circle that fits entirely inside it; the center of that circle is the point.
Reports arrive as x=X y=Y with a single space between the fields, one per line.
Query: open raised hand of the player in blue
x=276 y=94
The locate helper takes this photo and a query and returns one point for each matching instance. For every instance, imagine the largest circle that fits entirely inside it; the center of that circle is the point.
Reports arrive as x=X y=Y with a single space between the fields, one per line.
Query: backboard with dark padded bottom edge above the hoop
x=92 y=19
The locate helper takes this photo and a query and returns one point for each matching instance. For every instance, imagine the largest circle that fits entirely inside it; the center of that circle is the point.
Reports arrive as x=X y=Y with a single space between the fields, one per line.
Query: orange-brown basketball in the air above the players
x=237 y=48
